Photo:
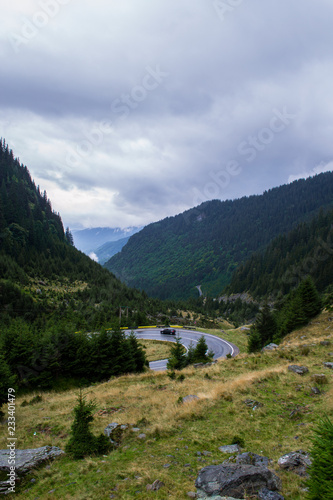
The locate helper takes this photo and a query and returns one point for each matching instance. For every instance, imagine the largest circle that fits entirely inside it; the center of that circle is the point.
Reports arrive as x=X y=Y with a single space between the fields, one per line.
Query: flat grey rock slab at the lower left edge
x=25 y=460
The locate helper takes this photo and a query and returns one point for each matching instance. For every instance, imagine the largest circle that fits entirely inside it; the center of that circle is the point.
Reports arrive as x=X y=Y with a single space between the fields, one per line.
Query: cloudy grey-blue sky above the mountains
x=128 y=112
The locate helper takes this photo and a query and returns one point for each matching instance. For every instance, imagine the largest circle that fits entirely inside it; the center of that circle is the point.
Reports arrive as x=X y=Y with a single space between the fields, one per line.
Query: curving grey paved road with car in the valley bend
x=220 y=347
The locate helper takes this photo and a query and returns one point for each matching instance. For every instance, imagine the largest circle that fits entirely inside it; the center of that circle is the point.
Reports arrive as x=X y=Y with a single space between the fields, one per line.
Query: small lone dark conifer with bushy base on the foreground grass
x=82 y=442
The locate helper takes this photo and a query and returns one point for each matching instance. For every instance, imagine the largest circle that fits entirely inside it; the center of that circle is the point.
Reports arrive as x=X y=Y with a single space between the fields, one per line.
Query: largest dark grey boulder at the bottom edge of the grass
x=235 y=480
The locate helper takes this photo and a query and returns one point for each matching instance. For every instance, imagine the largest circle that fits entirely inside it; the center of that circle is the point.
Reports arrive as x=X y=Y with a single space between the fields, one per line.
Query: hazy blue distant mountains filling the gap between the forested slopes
x=95 y=240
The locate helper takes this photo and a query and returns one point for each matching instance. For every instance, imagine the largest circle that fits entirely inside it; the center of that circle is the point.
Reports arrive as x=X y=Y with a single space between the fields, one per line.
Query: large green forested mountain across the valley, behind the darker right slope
x=204 y=245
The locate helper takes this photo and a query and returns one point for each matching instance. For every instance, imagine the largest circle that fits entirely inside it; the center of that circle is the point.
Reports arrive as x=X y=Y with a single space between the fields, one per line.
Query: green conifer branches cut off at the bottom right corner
x=320 y=482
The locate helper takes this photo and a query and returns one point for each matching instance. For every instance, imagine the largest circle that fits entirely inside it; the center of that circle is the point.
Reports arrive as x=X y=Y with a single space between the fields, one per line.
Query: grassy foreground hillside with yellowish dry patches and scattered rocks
x=176 y=432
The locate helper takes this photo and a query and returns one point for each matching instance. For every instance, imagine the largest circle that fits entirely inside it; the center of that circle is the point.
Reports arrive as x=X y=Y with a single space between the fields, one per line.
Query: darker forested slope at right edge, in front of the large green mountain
x=305 y=251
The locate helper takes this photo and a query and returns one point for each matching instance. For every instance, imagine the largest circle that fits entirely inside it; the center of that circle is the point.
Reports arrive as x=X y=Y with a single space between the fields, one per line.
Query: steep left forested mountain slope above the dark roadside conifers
x=43 y=277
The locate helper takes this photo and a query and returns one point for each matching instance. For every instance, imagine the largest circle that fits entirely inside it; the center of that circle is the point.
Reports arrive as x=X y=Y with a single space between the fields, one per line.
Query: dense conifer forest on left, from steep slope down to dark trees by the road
x=51 y=295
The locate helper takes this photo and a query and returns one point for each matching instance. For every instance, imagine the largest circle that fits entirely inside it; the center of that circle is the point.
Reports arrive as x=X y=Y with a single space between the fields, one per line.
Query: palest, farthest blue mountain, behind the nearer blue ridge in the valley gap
x=89 y=240
